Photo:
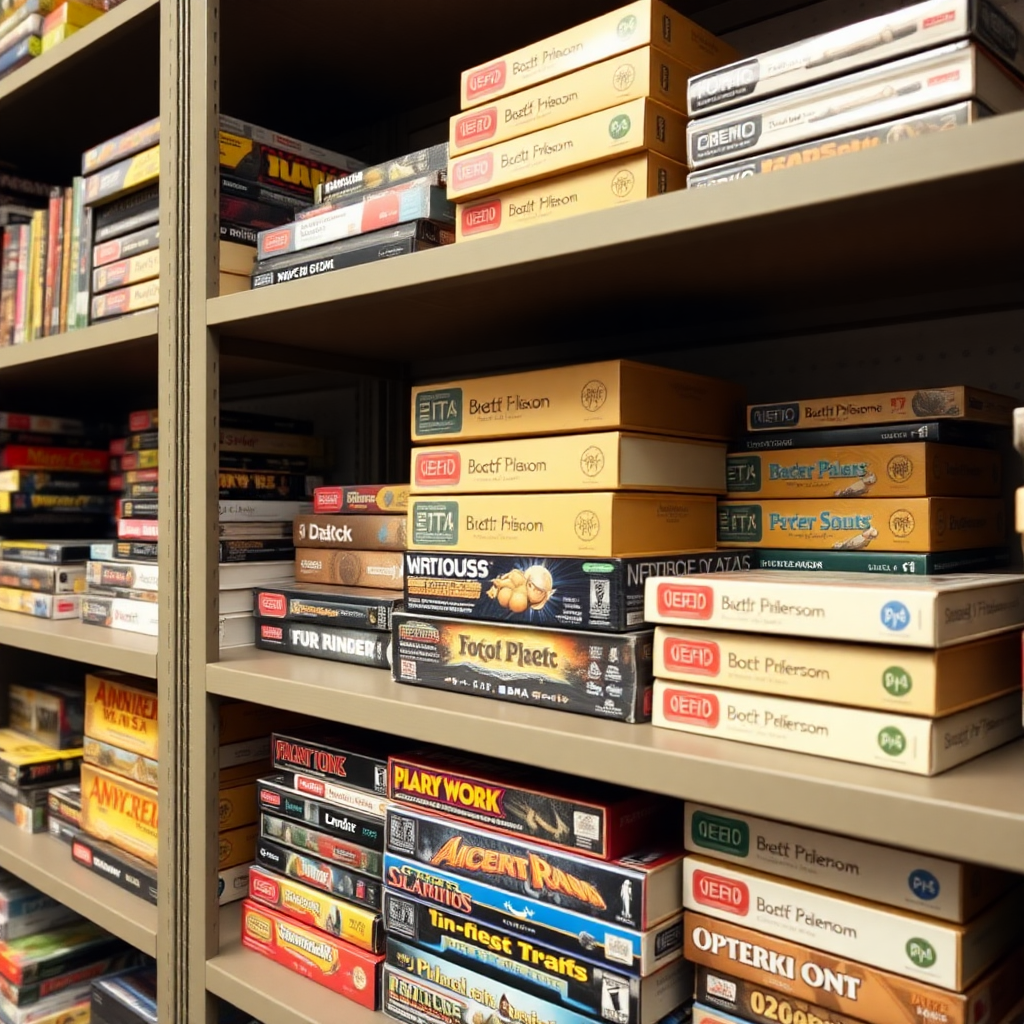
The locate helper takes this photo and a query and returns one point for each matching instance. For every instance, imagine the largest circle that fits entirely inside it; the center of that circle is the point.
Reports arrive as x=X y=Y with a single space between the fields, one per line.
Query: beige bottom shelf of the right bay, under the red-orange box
x=269 y=992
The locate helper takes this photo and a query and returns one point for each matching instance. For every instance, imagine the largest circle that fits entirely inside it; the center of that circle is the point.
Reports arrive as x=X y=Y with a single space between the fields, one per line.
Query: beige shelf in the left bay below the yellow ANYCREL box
x=47 y=864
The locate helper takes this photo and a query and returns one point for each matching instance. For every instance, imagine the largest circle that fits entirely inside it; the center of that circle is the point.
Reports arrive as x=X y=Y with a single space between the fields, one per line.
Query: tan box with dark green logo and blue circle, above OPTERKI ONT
x=917 y=882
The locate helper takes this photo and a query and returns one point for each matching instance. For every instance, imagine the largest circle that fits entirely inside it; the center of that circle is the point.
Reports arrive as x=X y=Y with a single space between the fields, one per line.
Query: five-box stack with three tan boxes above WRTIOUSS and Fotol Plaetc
x=541 y=502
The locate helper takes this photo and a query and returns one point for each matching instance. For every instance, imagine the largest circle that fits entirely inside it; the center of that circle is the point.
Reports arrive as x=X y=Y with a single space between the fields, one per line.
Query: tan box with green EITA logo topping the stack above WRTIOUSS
x=617 y=395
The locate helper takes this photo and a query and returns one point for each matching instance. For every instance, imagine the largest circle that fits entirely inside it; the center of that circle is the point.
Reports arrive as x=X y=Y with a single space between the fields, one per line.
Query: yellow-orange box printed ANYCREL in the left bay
x=120 y=813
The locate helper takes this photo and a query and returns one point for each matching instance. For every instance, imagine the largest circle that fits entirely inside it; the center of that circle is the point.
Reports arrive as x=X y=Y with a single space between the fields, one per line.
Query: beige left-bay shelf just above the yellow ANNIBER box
x=75 y=641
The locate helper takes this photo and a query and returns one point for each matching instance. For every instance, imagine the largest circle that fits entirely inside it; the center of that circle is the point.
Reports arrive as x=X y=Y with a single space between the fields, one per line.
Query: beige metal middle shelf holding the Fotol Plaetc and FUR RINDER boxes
x=971 y=814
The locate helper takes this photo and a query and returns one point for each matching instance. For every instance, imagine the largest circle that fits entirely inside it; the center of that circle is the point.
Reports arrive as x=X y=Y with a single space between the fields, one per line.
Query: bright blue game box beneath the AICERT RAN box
x=576 y=934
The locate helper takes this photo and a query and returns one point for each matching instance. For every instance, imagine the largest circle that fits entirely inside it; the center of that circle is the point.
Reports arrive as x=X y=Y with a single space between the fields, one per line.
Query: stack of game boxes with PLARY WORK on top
x=529 y=891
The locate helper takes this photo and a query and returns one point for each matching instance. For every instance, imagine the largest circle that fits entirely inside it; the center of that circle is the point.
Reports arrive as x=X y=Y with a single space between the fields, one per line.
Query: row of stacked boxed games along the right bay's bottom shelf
x=414 y=876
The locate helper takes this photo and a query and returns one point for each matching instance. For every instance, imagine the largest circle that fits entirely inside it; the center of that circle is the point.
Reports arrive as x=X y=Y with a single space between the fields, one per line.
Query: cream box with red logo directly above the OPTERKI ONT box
x=938 y=954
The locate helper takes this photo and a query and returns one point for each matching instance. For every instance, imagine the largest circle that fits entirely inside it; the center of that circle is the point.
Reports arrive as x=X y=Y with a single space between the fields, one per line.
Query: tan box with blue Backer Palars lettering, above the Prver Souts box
x=901 y=471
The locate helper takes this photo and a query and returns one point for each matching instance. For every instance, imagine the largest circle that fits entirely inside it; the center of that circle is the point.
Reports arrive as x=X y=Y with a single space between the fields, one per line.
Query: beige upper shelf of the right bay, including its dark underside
x=846 y=241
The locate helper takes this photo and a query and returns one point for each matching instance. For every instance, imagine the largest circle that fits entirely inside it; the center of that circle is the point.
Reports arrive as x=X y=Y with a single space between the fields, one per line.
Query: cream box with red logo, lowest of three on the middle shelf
x=900 y=743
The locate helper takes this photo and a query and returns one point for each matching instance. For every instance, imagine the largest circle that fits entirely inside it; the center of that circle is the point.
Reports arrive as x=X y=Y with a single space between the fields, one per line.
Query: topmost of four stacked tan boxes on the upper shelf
x=648 y=23
